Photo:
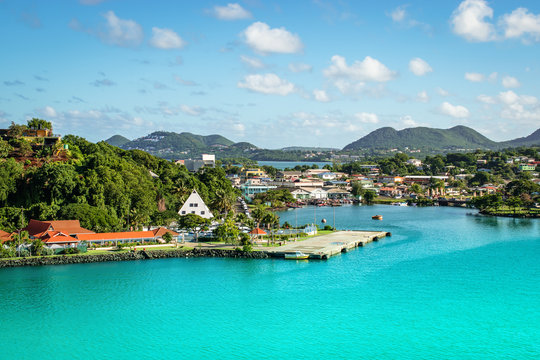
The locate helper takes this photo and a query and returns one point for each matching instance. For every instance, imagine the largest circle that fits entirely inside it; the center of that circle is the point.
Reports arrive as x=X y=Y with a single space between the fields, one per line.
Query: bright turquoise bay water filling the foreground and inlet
x=446 y=285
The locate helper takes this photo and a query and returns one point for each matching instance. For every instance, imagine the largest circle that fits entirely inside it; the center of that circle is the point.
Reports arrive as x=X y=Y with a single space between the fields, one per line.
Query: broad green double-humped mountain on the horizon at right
x=458 y=137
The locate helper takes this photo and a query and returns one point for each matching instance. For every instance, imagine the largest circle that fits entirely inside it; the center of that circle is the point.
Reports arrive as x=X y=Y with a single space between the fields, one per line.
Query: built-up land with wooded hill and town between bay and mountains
x=61 y=193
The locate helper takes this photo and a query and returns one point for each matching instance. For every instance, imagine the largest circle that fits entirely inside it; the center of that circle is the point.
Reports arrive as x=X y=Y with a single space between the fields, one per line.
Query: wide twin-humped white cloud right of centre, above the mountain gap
x=369 y=69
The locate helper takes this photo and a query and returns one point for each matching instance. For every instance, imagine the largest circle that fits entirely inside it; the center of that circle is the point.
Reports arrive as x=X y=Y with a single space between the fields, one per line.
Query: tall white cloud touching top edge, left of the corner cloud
x=468 y=21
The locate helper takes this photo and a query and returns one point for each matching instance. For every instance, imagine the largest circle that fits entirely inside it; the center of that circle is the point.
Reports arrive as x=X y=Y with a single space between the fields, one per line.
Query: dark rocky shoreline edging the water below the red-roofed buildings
x=139 y=255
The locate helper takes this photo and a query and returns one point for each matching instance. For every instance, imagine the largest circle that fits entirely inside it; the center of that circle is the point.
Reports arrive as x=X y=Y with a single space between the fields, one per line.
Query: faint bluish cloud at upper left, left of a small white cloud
x=121 y=32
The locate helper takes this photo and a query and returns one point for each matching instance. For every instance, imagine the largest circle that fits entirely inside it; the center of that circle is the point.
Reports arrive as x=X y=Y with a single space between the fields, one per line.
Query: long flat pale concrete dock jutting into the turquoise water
x=325 y=246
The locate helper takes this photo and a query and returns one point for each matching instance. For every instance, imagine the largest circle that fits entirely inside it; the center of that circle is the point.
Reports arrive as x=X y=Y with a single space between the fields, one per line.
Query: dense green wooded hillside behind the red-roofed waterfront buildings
x=107 y=188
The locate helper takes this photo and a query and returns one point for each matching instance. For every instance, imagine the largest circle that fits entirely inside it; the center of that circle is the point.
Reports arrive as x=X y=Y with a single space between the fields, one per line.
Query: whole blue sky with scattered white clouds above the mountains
x=273 y=73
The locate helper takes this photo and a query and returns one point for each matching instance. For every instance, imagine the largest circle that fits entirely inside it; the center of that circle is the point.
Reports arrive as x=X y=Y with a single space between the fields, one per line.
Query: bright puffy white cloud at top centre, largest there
x=261 y=38
